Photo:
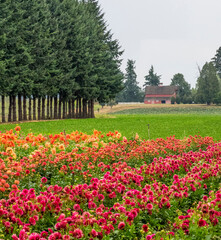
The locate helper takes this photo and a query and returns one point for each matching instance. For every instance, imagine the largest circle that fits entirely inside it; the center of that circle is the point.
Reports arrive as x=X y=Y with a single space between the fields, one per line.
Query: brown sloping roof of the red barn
x=160 y=90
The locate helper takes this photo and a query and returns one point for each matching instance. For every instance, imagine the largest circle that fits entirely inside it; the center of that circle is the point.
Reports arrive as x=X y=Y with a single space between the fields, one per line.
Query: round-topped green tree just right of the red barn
x=184 y=91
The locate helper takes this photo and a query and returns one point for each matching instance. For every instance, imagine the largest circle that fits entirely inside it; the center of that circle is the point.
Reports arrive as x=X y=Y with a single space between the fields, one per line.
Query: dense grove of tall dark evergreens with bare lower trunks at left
x=56 y=58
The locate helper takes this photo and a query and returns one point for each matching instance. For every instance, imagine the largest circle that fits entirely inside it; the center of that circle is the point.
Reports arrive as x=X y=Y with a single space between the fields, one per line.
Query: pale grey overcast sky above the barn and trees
x=172 y=35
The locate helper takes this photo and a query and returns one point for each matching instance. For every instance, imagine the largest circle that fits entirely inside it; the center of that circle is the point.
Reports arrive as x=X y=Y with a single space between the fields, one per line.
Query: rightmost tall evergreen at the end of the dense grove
x=101 y=78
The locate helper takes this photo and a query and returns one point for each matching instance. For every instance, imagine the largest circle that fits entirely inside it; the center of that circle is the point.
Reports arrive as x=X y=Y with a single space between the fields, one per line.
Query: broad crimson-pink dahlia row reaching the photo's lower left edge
x=73 y=203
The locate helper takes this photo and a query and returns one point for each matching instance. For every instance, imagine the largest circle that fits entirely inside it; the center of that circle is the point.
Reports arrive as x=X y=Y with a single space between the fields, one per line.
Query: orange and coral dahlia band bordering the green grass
x=25 y=159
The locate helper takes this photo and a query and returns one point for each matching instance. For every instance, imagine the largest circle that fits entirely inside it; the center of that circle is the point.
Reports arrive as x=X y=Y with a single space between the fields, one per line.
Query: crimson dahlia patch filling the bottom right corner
x=202 y=221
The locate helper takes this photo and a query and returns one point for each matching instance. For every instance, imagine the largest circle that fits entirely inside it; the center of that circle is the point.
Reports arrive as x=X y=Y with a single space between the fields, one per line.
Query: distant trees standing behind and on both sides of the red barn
x=207 y=91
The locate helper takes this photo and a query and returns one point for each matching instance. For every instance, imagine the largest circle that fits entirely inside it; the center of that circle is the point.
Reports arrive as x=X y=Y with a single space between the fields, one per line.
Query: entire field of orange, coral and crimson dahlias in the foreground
x=104 y=186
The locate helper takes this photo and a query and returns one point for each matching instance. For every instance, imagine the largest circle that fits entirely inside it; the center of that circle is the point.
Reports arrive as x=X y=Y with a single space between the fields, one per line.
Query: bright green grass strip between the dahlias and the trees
x=161 y=125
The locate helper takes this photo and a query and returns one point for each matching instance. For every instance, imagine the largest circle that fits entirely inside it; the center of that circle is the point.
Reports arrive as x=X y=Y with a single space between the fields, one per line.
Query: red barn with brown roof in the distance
x=159 y=94
